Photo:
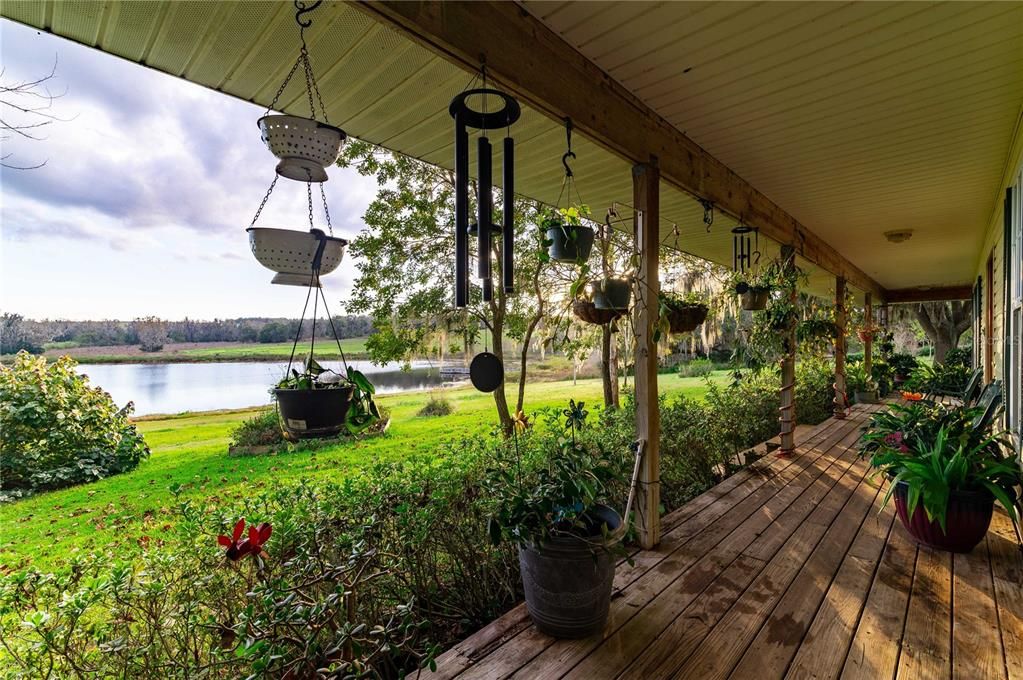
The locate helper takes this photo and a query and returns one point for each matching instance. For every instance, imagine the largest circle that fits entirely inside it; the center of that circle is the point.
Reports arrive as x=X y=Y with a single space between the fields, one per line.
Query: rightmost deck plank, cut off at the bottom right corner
x=1007 y=571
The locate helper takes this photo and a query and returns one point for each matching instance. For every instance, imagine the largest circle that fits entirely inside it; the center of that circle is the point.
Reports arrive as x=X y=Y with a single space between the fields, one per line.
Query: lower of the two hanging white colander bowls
x=291 y=253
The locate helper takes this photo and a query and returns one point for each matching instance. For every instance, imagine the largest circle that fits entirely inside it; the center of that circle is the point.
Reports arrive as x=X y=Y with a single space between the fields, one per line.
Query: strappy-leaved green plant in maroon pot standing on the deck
x=946 y=472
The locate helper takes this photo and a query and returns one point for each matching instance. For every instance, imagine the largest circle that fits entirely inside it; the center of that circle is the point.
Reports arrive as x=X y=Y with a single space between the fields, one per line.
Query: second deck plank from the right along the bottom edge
x=976 y=640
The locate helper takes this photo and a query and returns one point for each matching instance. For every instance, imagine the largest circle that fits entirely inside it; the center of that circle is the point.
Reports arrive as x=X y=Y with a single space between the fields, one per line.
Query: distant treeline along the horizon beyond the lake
x=20 y=333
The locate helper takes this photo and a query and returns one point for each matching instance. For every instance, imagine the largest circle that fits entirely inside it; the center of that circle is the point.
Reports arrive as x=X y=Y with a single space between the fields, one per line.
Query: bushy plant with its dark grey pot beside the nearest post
x=557 y=513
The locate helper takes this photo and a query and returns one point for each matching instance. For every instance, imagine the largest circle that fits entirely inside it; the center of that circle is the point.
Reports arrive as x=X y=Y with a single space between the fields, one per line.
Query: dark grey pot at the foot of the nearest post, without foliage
x=568 y=581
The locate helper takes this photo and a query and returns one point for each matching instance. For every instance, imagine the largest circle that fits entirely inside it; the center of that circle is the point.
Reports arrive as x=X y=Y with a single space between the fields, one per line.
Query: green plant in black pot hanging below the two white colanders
x=320 y=402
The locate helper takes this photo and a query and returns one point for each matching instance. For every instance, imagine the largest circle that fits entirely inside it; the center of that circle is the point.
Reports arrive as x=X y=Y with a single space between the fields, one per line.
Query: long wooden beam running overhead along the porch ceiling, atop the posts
x=537 y=65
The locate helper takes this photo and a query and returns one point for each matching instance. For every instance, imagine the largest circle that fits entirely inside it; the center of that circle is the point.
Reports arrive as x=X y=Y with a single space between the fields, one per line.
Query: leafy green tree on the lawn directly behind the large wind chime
x=407 y=268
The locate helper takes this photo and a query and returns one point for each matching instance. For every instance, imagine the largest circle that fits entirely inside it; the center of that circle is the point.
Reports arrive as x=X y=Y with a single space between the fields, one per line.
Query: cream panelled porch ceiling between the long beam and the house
x=856 y=118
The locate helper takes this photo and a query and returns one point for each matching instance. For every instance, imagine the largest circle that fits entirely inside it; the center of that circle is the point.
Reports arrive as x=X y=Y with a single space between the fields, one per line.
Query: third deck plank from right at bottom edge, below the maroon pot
x=927 y=642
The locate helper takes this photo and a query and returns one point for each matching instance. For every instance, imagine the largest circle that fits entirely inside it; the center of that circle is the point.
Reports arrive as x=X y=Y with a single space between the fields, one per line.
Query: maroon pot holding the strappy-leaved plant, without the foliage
x=967 y=521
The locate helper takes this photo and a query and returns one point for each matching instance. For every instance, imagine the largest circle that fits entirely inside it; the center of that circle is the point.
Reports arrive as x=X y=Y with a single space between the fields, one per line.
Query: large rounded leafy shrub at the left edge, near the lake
x=56 y=431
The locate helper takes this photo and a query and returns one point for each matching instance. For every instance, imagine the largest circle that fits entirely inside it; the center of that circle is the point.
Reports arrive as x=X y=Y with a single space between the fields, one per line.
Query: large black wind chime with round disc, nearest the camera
x=486 y=372
